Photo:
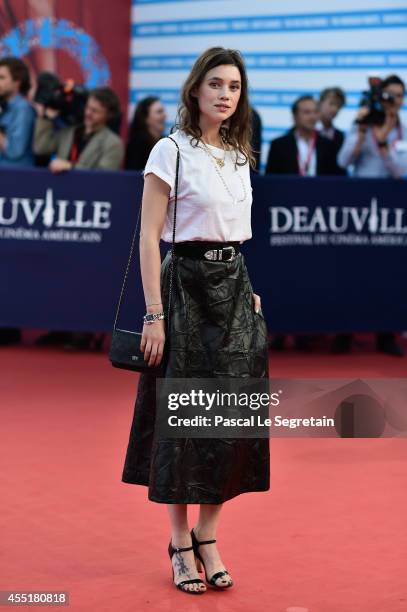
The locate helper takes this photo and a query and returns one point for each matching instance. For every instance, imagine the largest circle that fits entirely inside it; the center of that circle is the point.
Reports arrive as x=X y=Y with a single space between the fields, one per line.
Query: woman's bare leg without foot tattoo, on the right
x=205 y=529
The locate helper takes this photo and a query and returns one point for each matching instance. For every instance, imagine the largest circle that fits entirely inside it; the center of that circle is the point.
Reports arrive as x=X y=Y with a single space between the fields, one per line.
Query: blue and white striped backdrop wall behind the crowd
x=289 y=48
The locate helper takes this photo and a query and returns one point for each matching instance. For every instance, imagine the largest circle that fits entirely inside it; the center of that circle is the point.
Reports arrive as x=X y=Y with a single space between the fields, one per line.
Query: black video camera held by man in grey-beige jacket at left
x=68 y=98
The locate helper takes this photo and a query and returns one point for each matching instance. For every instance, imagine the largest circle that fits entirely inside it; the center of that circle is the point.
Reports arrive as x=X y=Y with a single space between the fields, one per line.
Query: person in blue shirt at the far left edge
x=17 y=116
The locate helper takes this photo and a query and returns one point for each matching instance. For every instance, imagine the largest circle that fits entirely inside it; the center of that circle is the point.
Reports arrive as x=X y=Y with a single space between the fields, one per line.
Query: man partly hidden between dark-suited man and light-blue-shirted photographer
x=331 y=100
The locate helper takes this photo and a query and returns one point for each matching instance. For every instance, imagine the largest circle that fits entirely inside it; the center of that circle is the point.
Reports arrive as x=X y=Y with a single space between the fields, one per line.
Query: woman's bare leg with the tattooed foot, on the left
x=183 y=562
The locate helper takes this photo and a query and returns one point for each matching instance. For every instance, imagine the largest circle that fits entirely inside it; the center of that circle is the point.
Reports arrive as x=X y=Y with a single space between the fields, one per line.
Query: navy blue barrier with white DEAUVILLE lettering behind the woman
x=327 y=254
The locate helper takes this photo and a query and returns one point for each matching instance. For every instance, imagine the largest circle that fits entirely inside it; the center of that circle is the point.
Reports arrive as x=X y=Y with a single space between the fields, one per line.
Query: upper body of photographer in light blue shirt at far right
x=377 y=145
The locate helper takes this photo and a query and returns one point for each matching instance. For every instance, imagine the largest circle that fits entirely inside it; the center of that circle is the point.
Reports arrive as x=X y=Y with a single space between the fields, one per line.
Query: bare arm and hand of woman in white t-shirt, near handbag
x=154 y=210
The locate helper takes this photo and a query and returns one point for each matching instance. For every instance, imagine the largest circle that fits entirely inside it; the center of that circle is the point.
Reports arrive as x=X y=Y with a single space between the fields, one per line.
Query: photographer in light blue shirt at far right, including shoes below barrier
x=377 y=151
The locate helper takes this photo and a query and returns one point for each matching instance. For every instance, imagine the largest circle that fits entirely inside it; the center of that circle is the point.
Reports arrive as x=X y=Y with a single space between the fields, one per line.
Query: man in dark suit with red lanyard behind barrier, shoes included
x=302 y=151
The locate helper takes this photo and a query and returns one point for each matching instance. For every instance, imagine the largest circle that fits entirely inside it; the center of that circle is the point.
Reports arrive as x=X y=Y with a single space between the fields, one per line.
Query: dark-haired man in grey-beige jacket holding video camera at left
x=90 y=144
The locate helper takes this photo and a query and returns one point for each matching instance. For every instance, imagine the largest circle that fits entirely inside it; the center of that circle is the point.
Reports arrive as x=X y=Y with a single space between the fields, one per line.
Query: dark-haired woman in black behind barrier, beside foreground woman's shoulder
x=147 y=127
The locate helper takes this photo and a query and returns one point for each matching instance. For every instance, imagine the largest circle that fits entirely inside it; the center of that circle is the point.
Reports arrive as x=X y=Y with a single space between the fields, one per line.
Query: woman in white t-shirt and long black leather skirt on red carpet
x=217 y=329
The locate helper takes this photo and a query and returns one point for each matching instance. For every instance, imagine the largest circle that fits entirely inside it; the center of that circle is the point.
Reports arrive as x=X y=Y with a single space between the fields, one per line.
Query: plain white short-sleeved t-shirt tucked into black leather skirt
x=205 y=209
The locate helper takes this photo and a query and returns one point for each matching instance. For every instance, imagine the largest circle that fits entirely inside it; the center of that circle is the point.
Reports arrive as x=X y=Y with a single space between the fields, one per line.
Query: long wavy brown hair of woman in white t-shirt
x=236 y=131
